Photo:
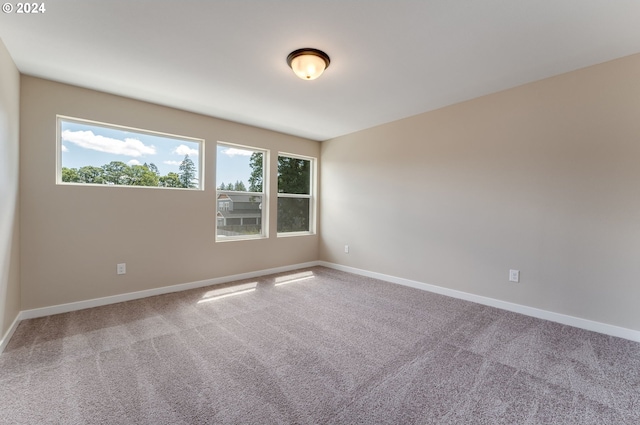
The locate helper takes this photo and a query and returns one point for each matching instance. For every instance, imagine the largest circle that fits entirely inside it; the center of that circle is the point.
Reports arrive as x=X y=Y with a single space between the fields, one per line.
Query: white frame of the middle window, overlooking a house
x=264 y=234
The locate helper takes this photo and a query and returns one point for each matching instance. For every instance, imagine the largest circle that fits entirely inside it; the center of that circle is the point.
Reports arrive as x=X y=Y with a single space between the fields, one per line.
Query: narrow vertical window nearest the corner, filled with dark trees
x=296 y=200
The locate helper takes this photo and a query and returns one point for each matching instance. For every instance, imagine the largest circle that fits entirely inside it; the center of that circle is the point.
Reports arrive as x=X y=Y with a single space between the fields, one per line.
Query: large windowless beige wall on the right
x=544 y=178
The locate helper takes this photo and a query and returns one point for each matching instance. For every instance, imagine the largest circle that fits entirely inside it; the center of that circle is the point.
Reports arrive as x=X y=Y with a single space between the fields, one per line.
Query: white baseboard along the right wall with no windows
x=564 y=319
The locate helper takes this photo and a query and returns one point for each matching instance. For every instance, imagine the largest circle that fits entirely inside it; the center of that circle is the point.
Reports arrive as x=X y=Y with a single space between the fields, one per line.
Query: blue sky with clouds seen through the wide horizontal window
x=89 y=144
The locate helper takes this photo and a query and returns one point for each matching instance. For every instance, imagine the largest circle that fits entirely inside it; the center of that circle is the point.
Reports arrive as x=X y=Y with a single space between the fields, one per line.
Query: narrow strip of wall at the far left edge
x=9 y=185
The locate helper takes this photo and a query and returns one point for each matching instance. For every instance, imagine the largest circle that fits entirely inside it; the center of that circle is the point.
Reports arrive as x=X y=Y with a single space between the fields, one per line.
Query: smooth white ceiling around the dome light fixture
x=389 y=59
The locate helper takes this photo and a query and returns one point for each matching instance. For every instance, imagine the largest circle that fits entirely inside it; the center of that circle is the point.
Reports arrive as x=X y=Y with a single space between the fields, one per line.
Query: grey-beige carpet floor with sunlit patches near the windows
x=313 y=346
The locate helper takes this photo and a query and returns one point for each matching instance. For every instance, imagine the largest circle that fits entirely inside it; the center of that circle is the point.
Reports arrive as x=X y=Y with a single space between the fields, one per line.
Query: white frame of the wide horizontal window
x=61 y=118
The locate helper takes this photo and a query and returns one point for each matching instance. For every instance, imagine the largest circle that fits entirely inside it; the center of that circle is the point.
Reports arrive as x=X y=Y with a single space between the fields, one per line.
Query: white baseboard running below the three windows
x=97 y=302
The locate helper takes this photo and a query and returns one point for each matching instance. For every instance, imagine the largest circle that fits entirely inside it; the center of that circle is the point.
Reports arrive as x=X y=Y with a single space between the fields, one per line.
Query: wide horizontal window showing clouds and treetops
x=106 y=154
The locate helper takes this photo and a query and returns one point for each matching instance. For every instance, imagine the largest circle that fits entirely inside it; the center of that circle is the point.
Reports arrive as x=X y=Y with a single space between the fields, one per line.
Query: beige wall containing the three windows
x=73 y=236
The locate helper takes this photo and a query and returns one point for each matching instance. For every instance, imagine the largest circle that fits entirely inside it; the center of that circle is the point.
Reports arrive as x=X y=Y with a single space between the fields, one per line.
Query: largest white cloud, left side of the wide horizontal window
x=88 y=140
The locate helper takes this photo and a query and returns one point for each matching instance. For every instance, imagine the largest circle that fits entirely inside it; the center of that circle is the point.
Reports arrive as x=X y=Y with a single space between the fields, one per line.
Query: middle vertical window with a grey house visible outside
x=241 y=200
